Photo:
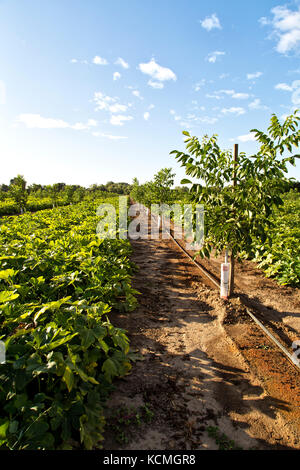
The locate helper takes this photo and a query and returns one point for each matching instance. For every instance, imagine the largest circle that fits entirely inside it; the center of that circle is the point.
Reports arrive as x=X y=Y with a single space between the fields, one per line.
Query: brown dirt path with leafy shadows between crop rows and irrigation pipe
x=193 y=375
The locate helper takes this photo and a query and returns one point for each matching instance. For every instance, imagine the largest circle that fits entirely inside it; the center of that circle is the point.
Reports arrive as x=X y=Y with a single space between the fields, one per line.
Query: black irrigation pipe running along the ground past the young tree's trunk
x=216 y=283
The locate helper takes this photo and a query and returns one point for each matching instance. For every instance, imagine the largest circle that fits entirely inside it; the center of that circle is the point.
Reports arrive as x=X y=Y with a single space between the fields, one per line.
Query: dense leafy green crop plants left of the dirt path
x=58 y=283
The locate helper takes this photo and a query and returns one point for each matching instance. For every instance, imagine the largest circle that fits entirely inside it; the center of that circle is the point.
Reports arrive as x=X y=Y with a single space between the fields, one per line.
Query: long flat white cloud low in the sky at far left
x=36 y=121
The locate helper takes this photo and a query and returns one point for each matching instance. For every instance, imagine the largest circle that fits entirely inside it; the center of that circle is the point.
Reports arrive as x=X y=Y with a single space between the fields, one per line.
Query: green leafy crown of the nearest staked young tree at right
x=237 y=216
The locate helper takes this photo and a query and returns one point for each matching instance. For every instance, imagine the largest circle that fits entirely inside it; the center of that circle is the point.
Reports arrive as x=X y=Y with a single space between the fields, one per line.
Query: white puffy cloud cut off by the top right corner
x=286 y=28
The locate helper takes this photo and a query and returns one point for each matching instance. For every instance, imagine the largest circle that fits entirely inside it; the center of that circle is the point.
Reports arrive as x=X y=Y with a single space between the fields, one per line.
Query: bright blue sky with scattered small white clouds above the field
x=93 y=91
